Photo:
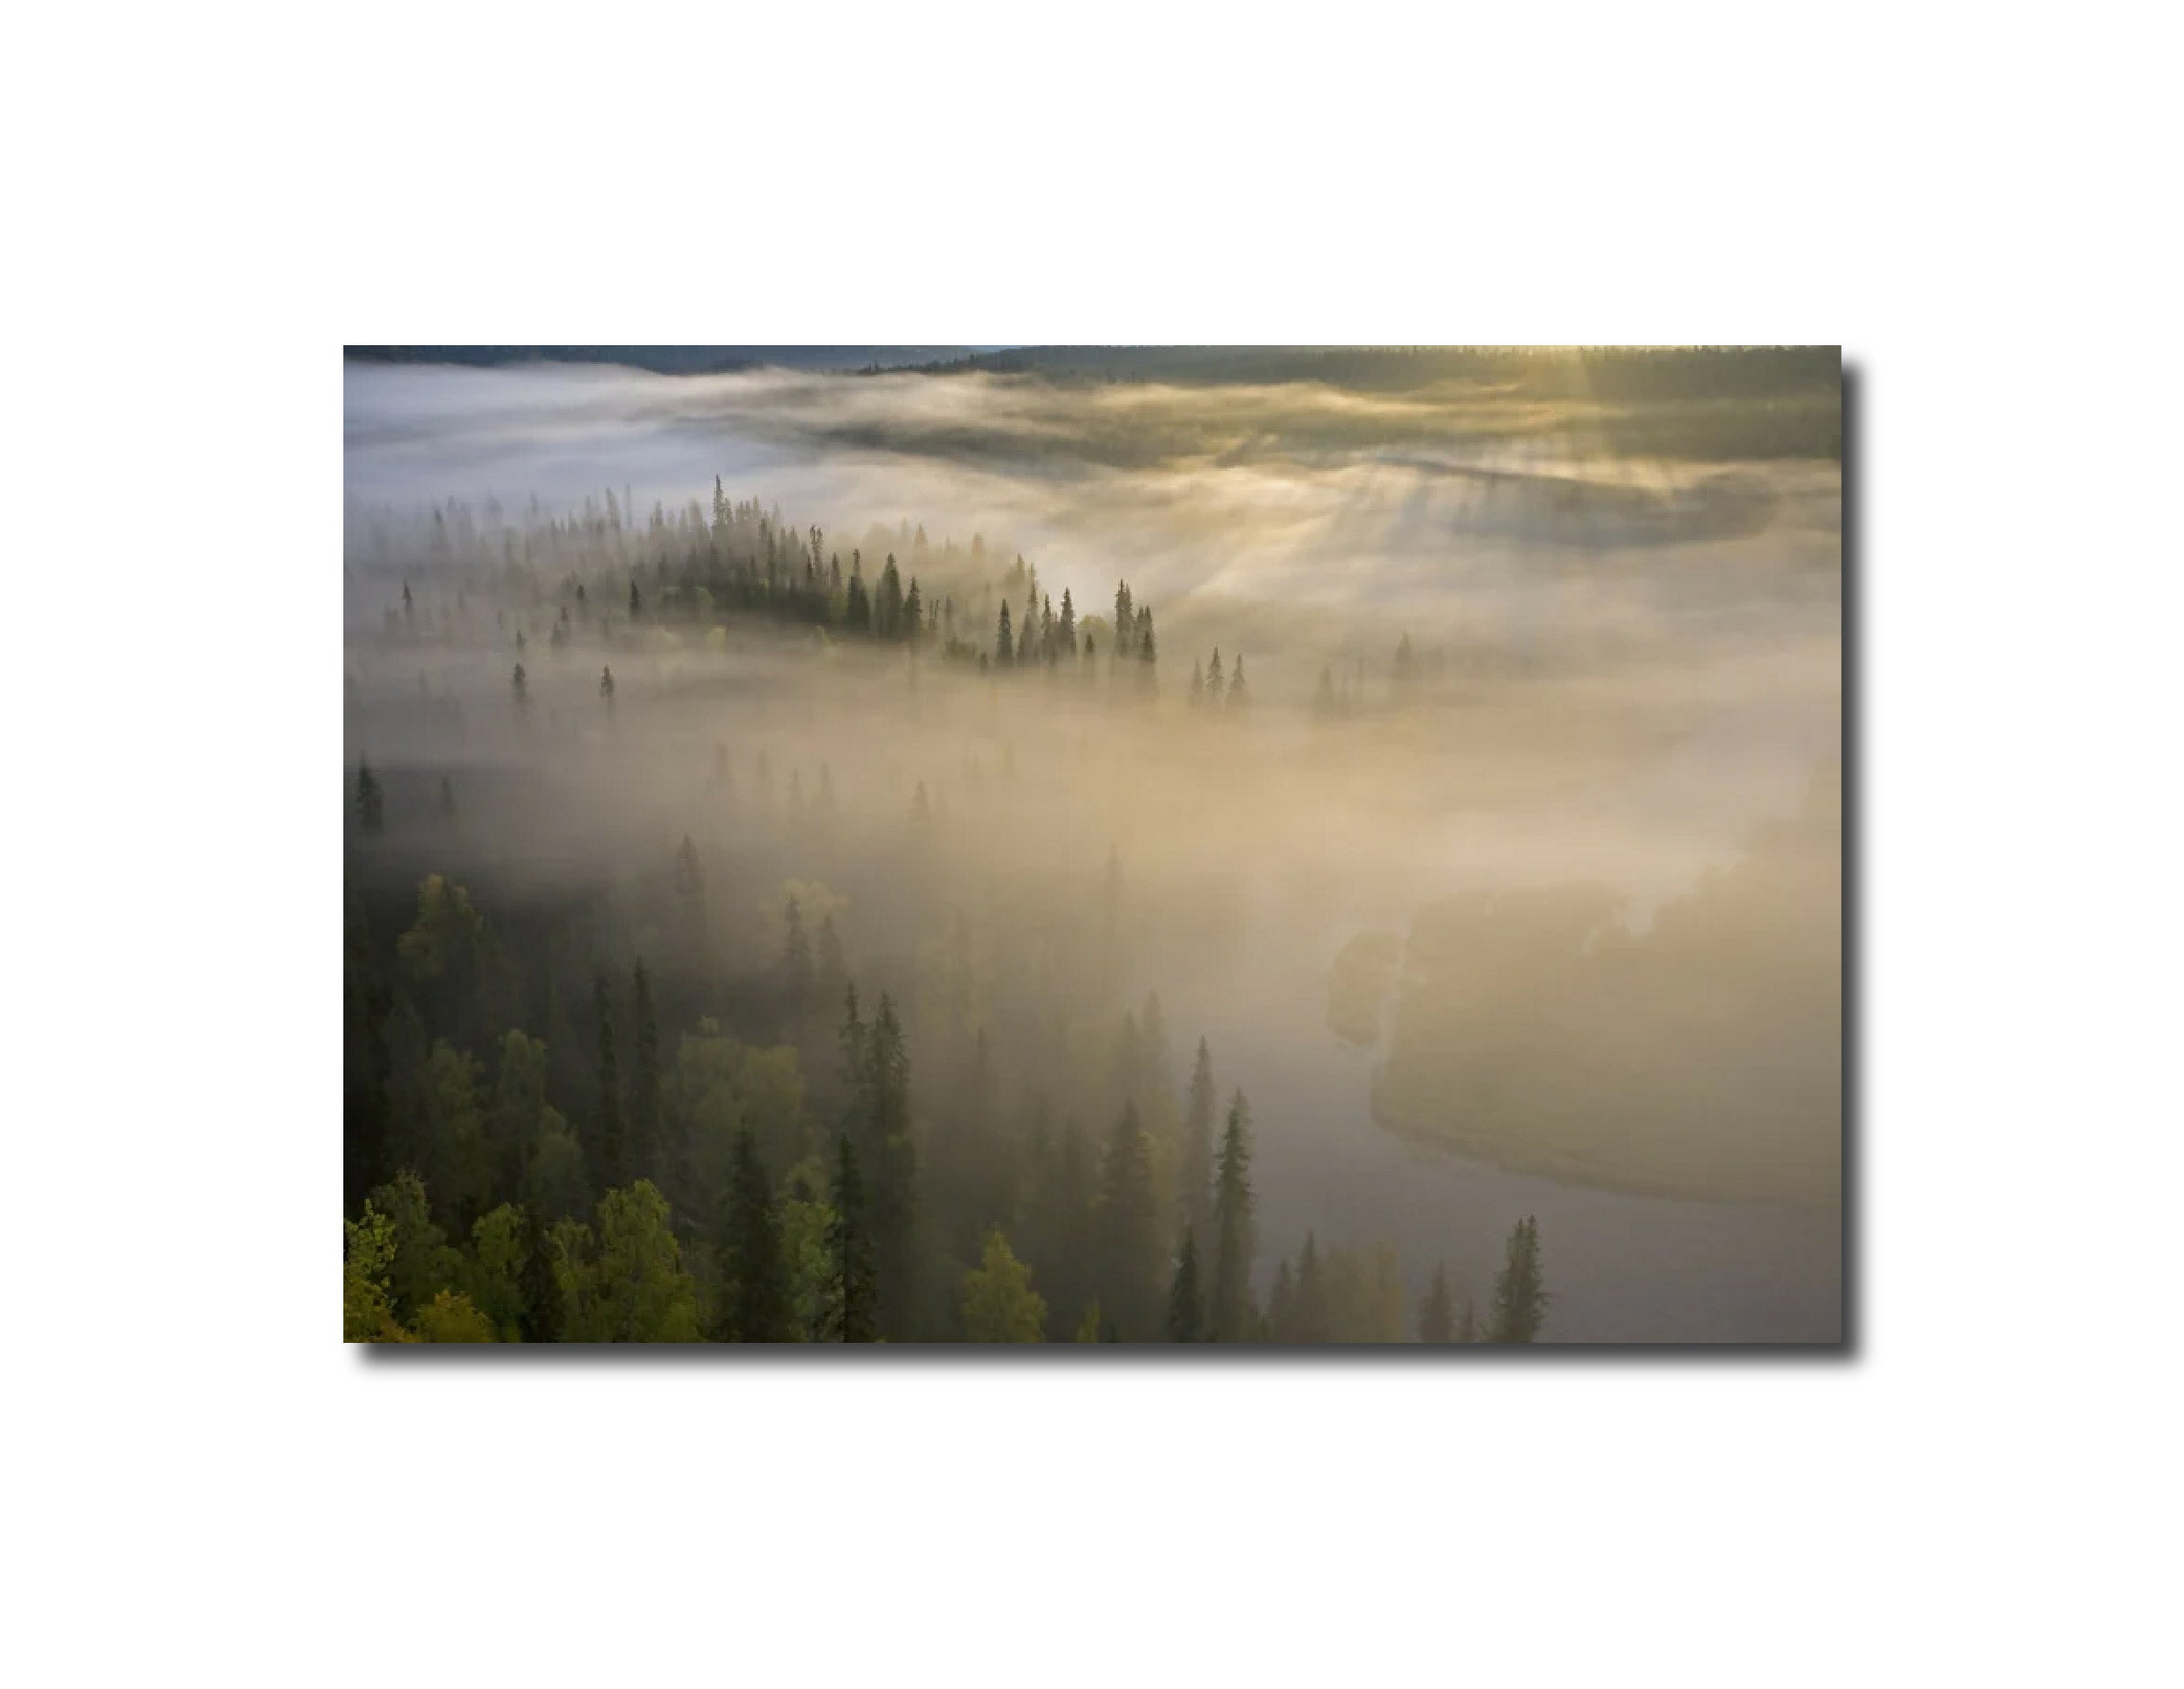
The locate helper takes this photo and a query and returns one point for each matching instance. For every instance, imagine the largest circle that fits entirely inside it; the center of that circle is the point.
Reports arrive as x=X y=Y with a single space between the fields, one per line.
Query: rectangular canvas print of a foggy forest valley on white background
x=1204 y=849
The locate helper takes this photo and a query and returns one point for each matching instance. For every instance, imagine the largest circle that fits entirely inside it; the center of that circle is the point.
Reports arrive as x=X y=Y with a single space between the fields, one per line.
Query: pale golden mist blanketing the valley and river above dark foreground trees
x=1499 y=869
